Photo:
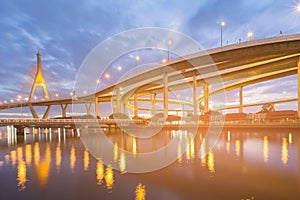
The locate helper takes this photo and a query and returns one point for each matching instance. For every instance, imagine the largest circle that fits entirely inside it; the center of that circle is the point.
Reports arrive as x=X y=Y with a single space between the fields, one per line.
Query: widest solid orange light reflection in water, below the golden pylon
x=43 y=168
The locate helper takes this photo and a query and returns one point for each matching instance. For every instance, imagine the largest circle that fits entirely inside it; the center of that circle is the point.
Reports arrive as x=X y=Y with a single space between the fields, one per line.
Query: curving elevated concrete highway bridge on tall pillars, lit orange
x=241 y=65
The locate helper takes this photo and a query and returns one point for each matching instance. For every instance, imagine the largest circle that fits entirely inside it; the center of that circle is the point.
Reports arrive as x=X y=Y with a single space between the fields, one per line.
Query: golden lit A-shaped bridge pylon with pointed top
x=39 y=80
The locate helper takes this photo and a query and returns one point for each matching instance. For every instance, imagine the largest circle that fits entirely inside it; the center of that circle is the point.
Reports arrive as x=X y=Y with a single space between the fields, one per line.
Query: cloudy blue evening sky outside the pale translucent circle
x=66 y=31
